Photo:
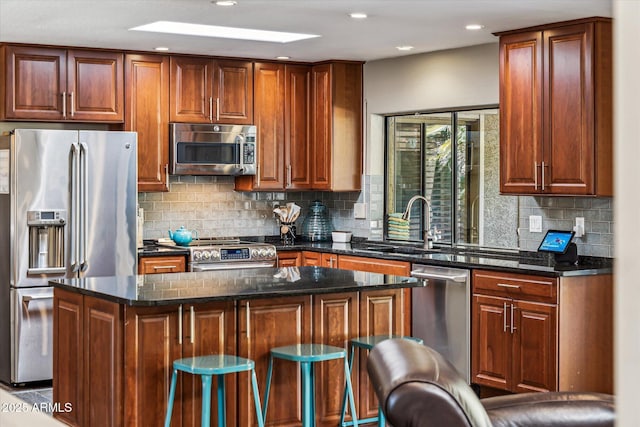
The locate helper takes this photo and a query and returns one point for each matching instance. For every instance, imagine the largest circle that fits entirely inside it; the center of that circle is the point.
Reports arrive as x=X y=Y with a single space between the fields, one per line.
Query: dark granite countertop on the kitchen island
x=221 y=285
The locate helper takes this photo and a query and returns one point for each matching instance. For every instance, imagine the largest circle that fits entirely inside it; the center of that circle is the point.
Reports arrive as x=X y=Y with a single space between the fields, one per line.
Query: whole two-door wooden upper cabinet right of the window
x=556 y=109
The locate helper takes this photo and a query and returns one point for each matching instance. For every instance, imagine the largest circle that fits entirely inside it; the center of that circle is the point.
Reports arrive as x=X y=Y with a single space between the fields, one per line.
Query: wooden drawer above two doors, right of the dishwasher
x=517 y=286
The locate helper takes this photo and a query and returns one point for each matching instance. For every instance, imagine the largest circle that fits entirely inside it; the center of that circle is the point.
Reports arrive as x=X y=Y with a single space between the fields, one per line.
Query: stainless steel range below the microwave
x=220 y=254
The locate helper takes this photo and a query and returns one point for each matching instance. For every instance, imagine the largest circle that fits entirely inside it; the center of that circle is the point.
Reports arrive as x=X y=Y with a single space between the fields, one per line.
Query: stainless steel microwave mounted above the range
x=209 y=149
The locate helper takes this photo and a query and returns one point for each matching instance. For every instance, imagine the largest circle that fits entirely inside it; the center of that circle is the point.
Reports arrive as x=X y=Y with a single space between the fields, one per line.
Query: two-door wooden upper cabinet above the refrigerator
x=58 y=84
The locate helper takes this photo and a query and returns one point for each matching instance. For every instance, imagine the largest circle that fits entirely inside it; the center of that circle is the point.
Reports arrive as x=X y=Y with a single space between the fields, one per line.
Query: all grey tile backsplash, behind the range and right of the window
x=212 y=207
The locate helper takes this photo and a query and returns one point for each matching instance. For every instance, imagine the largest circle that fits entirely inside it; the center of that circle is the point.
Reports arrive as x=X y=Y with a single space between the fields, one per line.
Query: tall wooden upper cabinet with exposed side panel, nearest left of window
x=336 y=111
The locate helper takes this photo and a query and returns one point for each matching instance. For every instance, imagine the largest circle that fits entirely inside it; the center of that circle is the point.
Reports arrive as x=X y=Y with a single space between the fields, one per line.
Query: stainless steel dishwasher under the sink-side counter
x=441 y=312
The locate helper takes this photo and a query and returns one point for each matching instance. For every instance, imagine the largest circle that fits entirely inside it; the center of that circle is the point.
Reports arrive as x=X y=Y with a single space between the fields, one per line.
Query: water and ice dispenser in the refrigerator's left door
x=46 y=241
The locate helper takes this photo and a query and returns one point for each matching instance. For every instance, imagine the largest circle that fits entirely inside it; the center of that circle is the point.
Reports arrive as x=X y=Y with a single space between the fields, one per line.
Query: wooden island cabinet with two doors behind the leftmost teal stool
x=154 y=339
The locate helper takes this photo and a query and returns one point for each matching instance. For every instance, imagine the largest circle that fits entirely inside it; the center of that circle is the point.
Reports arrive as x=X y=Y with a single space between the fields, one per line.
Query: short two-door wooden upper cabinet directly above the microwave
x=204 y=90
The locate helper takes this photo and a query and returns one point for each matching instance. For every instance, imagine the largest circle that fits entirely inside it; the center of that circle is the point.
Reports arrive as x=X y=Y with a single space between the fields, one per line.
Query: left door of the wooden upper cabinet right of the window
x=521 y=113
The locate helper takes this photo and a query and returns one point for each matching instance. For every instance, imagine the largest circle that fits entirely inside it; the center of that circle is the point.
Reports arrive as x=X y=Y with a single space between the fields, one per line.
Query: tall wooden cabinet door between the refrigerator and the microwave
x=147 y=112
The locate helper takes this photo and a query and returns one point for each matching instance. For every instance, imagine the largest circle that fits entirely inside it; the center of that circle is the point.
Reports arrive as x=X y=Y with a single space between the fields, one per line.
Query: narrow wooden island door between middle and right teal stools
x=335 y=321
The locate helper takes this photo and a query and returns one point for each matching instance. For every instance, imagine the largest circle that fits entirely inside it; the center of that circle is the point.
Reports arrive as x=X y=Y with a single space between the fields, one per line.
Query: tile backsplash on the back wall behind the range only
x=210 y=205
